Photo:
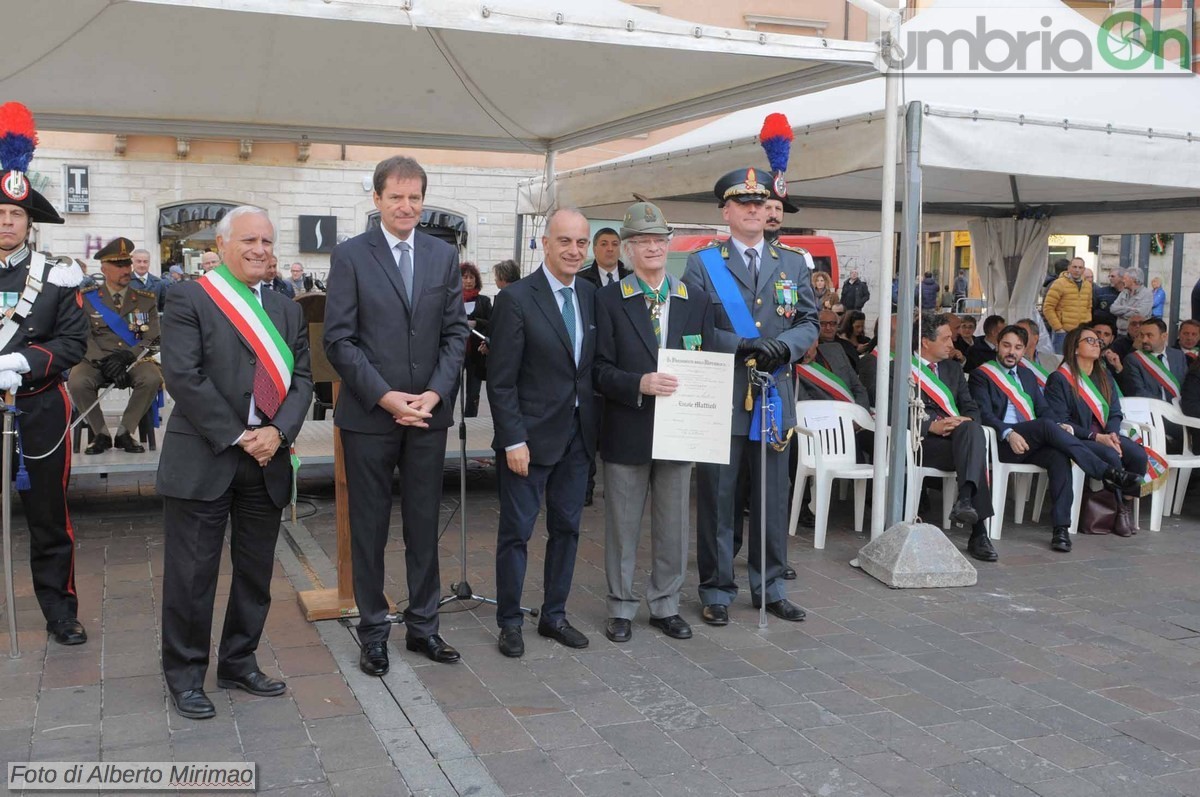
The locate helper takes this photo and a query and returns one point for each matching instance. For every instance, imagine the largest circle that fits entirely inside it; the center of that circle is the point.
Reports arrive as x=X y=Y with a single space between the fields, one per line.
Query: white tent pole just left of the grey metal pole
x=887 y=268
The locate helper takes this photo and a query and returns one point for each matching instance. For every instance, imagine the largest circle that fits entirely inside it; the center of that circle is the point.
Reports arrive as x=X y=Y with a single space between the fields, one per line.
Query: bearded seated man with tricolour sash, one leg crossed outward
x=1011 y=403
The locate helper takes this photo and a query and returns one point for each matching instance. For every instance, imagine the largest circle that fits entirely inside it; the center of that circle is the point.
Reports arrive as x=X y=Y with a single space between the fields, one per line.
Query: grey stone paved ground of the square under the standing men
x=1055 y=676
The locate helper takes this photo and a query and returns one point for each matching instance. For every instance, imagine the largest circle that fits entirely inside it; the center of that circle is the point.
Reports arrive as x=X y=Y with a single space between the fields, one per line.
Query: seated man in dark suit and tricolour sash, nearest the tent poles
x=952 y=439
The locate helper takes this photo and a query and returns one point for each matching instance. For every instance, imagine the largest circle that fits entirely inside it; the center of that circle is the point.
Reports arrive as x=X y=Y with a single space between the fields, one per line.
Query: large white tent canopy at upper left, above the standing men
x=503 y=76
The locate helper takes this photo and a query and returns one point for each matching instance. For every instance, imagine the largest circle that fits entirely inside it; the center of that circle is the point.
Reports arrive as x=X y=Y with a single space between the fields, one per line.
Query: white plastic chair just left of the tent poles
x=827 y=452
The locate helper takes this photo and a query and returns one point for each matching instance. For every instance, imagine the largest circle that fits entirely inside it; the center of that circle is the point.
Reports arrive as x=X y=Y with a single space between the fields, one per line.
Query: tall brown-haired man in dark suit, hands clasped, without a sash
x=397 y=333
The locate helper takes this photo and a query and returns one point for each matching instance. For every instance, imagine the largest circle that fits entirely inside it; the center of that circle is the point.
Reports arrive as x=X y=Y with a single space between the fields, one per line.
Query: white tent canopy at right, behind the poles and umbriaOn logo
x=1101 y=154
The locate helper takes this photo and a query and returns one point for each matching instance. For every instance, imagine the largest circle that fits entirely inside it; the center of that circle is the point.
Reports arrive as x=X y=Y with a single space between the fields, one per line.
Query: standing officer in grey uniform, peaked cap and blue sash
x=771 y=293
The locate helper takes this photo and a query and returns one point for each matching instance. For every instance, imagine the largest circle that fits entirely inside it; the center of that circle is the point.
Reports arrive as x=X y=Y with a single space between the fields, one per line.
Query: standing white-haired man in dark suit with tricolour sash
x=242 y=395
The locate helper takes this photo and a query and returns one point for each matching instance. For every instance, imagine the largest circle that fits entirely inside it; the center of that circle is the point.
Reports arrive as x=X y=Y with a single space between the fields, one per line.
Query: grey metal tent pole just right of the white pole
x=911 y=237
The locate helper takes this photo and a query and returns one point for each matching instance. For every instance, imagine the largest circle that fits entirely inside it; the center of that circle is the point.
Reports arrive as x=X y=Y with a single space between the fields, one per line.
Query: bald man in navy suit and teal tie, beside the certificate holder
x=539 y=387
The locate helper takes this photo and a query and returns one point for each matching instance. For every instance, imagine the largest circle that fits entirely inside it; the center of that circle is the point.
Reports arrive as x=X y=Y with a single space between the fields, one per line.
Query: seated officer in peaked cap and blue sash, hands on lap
x=124 y=325
